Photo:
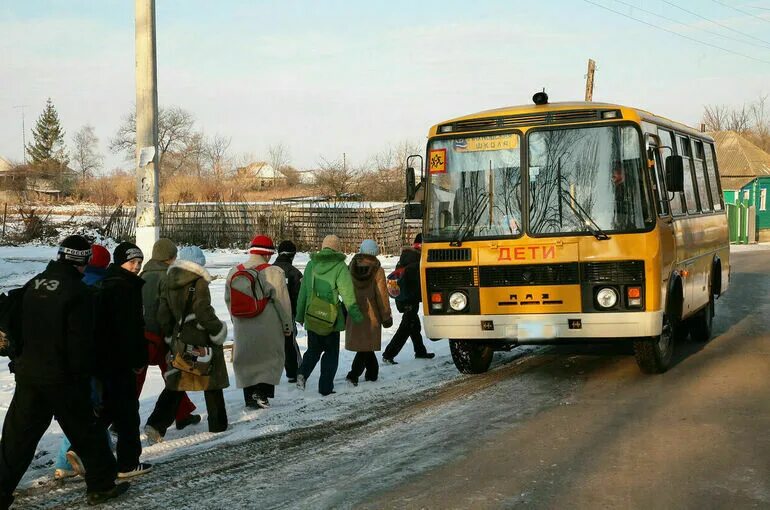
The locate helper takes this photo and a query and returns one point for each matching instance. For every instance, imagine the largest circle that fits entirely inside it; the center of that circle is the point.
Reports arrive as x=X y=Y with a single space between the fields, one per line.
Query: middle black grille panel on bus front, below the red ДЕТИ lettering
x=529 y=274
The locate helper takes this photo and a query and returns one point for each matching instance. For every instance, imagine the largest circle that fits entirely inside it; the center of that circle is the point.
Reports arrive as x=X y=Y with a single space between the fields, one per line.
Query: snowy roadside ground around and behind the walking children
x=290 y=409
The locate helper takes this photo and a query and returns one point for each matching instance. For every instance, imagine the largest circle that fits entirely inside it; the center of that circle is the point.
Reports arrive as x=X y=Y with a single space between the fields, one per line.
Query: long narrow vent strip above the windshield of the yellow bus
x=529 y=119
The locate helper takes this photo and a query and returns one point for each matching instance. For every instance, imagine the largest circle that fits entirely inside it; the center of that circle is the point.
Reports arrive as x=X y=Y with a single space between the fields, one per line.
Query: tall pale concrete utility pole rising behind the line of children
x=147 y=193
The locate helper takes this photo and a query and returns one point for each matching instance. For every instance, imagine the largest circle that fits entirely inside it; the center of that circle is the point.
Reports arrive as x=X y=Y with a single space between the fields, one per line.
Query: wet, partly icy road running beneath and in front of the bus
x=572 y=426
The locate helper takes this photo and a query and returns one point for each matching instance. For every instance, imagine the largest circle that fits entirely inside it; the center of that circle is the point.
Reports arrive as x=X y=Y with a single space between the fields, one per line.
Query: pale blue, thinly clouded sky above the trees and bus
x=326 y=77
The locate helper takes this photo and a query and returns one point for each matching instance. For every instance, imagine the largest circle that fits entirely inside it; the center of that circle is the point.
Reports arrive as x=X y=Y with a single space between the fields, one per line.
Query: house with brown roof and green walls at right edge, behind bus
x=744 y=171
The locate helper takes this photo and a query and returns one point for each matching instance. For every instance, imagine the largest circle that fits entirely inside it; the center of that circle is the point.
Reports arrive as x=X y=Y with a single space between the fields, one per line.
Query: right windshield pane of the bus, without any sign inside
x=582 y=178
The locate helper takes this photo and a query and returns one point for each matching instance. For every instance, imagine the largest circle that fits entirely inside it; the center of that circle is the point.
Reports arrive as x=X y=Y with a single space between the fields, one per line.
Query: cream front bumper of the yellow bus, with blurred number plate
x=545 y=328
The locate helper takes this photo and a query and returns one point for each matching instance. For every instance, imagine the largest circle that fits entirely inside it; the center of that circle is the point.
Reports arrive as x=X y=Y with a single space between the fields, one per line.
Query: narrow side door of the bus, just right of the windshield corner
x=665 y=220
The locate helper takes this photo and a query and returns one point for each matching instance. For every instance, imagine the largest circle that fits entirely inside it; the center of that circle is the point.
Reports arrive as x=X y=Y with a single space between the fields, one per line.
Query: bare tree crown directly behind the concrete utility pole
x=175 y=127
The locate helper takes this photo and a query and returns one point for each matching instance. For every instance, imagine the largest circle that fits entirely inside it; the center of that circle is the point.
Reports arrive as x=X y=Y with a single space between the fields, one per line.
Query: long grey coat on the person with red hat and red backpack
x=258 y=342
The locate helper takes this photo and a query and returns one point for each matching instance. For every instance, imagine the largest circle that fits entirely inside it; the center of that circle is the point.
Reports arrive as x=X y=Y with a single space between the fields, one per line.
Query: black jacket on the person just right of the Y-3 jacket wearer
x=120 y=331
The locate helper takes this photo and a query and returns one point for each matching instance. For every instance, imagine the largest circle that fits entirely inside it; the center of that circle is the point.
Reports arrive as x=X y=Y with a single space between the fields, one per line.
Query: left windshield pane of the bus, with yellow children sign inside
x=475 y=187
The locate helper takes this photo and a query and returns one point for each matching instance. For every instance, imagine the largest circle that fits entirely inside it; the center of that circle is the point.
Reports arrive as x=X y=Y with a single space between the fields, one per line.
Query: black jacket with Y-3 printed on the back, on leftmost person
x=57 y=328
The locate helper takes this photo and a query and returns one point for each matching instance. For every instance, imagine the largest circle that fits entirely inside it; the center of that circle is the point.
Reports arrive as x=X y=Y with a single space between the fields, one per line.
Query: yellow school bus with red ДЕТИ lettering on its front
x=570 y=222
